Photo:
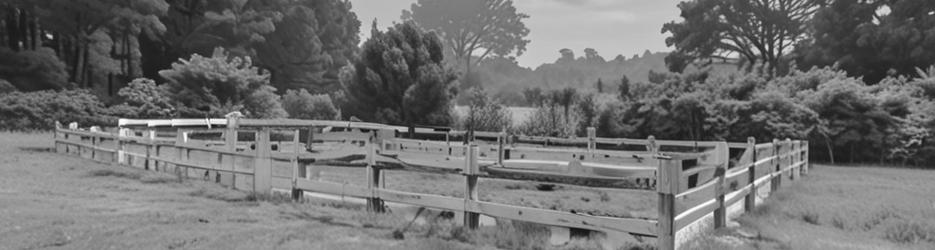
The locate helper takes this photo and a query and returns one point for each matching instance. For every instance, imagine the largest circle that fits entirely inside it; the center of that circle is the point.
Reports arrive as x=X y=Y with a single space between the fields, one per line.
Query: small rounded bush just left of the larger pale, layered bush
x=143 y=99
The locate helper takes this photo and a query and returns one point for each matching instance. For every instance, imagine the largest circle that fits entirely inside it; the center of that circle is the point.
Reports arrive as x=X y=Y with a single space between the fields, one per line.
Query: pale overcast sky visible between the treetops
x=611 y=27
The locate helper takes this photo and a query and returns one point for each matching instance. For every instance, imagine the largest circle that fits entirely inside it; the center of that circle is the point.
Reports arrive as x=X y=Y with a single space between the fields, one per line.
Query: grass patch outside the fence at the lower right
x=840 y=208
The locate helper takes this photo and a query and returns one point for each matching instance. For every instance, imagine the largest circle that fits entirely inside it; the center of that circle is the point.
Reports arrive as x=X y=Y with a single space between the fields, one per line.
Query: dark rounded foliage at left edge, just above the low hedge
x=33 y=70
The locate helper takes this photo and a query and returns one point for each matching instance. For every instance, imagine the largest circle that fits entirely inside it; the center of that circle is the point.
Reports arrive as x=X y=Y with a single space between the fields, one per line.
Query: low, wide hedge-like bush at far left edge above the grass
x=39 y=110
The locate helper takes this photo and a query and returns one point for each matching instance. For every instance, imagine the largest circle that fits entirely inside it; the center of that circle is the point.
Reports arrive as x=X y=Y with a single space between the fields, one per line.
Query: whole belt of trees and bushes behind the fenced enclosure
x=854 y=77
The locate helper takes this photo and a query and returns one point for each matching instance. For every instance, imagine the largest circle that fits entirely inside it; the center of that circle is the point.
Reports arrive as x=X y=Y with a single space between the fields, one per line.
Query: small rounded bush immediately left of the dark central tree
x=303 y=105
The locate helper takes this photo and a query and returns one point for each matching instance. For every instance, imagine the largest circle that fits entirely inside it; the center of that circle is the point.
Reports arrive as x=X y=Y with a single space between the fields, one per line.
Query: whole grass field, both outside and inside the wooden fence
x=64 y=202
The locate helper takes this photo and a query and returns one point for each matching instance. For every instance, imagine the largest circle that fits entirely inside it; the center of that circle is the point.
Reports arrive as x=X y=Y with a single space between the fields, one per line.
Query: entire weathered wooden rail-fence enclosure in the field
x=697 y=185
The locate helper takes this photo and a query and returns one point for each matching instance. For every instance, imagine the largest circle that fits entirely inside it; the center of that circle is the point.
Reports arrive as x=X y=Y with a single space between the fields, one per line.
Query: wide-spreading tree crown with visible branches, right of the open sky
x=760 y=32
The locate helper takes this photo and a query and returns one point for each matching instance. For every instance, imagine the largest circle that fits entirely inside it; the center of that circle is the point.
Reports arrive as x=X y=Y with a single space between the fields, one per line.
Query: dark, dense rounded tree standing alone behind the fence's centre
x=400 y=79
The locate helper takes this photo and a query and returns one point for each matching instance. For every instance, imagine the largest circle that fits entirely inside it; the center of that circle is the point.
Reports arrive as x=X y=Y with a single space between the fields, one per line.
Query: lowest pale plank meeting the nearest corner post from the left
x=565 y=219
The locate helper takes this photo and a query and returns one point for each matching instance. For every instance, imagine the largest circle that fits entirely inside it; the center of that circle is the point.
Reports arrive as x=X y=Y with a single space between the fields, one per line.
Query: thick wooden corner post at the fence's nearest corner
x=667 y=185
